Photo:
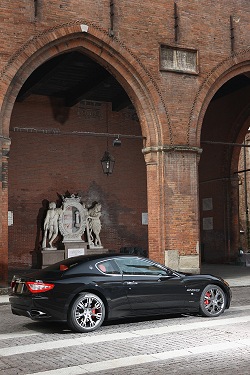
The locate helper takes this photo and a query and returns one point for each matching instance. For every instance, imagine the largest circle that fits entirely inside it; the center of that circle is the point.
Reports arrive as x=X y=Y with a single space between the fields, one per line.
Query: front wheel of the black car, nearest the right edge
x=212 y=301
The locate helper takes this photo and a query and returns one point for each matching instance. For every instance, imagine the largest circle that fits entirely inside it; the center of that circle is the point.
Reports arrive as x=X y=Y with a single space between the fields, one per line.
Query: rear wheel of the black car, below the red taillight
x=87 y=313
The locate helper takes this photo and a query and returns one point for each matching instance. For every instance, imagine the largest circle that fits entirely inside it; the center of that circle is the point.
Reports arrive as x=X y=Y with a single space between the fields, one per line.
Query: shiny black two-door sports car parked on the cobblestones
x=85 y=290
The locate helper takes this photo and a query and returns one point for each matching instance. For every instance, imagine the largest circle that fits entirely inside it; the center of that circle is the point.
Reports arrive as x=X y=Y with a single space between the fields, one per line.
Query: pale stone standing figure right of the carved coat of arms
x=94 y=225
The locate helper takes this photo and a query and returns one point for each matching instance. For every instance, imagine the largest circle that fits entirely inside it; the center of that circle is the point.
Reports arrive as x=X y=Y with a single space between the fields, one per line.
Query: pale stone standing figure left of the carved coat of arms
x=51 y=225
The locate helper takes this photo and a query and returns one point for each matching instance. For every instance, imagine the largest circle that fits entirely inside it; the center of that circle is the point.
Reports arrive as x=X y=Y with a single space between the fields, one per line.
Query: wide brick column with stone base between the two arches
x=173 y=207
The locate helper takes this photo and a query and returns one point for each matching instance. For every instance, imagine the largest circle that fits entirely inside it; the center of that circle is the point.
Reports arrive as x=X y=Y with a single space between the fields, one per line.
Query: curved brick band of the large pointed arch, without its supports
x=111 y=53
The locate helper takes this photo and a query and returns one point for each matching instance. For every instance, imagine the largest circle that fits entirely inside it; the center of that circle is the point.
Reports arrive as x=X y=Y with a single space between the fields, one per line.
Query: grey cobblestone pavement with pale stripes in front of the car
x=189 y=345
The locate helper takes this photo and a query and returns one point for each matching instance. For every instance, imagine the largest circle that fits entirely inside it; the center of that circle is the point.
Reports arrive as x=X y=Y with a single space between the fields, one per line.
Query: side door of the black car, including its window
x=151 y=288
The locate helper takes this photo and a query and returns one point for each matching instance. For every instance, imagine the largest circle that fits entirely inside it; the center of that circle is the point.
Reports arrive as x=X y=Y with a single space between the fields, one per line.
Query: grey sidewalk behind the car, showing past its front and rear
x=235 y=275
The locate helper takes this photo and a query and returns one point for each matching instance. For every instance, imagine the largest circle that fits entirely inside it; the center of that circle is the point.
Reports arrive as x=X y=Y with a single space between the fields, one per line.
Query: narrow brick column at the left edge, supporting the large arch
x=4 y=153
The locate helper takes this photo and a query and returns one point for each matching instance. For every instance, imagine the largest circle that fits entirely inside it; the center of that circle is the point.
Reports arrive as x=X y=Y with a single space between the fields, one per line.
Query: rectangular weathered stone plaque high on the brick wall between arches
x=178 y=60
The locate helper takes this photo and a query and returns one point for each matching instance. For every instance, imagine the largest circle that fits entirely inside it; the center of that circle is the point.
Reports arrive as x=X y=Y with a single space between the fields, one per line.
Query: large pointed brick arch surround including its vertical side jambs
x=129 y=71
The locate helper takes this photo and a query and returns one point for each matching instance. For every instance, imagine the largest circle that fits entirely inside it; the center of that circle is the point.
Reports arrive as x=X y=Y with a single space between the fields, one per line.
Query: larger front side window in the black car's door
x=137 y=266
